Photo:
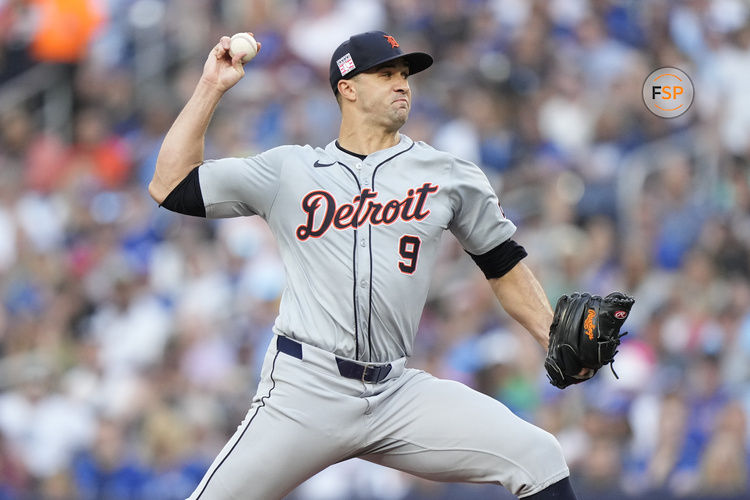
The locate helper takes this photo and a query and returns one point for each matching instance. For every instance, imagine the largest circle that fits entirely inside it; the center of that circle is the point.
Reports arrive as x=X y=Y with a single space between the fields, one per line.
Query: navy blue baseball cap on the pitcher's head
x=367 y=50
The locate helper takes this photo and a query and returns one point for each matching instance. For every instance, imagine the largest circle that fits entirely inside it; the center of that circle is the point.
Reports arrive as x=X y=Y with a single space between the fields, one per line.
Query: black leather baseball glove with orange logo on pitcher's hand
x=585 y=333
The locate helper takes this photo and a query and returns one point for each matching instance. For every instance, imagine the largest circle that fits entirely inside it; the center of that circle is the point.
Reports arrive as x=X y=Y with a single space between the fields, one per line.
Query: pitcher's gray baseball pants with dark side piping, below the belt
x=306 y=416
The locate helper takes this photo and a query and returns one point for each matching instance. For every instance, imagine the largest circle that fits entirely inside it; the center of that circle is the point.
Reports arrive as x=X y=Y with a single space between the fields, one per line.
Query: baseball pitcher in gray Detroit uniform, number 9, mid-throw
x=357 y=224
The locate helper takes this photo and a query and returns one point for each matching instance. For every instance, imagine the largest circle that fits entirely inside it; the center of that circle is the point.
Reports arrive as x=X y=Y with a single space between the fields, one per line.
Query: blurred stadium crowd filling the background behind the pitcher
x=130 y=337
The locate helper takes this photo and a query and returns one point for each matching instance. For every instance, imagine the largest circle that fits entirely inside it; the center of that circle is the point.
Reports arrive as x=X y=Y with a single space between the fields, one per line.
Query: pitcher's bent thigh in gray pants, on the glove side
x=445 y=431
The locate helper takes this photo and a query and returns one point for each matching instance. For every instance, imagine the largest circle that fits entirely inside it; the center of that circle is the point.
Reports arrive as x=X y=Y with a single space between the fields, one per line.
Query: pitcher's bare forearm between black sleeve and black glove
x=524 y=299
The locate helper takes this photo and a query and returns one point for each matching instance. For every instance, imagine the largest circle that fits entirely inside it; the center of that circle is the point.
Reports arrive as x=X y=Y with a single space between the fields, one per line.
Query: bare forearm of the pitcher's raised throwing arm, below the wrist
x=182 y=149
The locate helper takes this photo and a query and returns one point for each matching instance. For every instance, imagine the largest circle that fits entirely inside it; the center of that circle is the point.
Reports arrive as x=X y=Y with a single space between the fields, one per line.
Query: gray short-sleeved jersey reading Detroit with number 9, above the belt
x=371 y=227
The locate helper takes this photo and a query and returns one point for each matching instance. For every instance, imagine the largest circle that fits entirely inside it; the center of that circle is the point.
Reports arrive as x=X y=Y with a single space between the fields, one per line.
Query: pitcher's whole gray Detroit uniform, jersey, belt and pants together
x=358 y=239
